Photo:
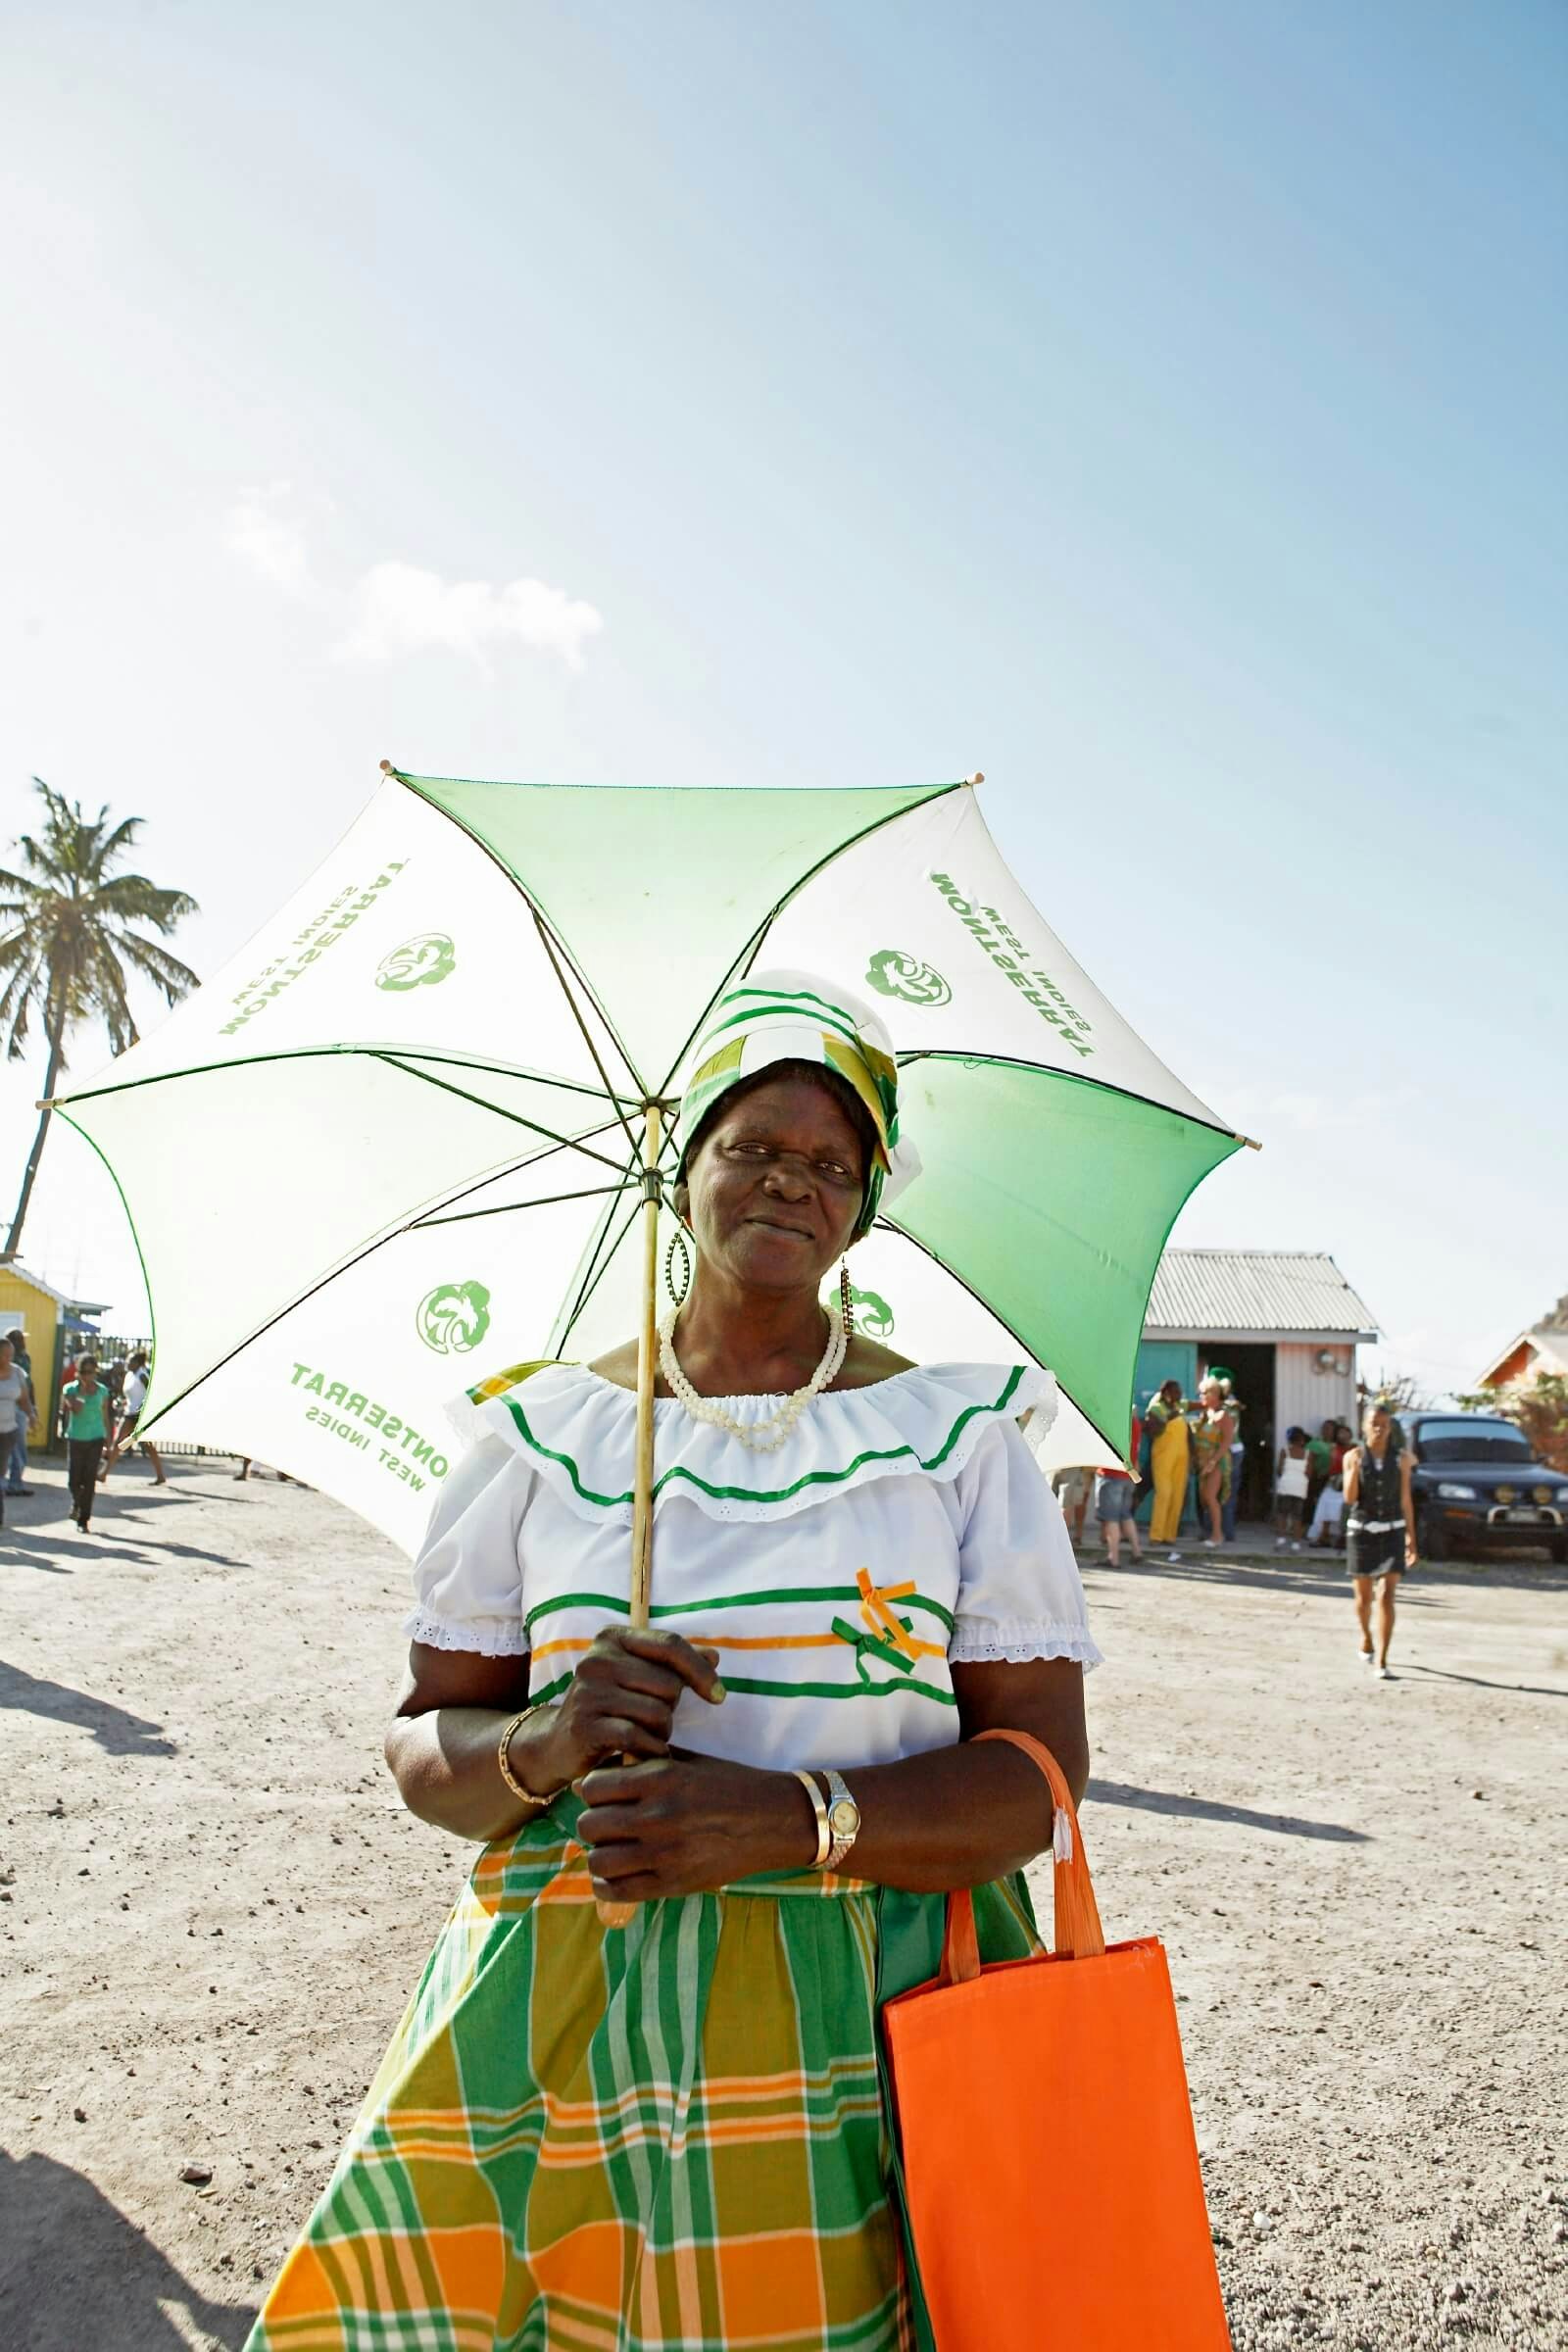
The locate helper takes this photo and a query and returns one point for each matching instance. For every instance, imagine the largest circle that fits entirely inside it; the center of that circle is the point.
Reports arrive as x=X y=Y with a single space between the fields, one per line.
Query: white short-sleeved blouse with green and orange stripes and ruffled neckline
x=902 y=1530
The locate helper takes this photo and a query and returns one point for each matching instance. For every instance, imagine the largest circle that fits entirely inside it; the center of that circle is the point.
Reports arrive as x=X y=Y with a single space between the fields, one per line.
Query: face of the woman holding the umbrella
x=777 y=1187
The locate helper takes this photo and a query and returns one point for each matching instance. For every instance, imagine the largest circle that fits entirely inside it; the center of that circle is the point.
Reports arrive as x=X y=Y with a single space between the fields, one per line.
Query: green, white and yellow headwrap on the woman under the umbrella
x=803 y=1017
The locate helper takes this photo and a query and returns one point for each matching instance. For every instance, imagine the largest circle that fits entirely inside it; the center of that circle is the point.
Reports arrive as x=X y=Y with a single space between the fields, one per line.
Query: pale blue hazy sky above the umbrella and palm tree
x=1155 y=408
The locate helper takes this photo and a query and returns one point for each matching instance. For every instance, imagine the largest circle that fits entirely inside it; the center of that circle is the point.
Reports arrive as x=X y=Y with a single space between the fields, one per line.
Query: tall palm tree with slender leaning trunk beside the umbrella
x=67 y=940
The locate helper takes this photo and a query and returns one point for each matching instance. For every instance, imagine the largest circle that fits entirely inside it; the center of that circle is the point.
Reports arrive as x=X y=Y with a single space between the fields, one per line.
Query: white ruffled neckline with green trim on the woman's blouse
x=575 y=1429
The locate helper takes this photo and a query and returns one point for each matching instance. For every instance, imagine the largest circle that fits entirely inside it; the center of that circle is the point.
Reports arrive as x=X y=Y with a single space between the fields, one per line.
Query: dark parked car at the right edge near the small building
x=1477 y=1483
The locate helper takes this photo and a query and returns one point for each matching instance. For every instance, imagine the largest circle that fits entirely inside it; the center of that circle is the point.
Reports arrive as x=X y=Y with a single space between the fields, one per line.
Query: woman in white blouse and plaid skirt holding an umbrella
x=674 y=2132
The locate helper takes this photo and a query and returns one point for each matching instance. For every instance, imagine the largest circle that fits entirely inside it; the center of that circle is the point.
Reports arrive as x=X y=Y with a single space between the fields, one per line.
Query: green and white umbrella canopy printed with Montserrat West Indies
x=394 y=1147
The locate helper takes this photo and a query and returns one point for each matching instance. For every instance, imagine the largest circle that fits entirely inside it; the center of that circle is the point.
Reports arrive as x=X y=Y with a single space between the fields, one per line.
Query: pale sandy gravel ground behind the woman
x=213 y=1911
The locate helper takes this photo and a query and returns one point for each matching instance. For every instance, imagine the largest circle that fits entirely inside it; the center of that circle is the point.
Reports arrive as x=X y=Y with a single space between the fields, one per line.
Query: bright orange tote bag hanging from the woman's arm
x=1050 y=2160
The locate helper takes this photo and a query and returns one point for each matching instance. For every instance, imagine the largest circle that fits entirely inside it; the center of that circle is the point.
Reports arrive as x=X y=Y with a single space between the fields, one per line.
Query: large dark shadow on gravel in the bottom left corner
x=76 y=2273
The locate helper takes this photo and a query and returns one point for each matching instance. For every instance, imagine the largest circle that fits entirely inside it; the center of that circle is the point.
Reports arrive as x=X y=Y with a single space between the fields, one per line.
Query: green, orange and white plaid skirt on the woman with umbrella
x=615 y=2141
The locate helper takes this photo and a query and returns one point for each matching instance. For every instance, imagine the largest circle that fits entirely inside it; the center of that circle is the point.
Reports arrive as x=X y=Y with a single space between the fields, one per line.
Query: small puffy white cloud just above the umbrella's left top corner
x=403 y=610
